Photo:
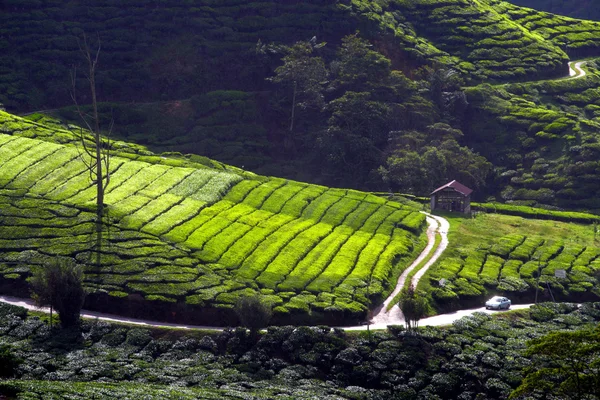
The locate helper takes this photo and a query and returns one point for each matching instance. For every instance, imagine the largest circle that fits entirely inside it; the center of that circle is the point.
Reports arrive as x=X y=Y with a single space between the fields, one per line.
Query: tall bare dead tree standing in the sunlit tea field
x=95 y=155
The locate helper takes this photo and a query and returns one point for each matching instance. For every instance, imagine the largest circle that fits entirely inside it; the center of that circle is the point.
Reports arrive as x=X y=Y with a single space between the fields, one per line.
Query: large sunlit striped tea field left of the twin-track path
x=184 y=233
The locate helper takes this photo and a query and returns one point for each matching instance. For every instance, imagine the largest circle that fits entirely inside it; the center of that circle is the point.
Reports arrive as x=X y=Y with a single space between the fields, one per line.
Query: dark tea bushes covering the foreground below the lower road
x=481 y=356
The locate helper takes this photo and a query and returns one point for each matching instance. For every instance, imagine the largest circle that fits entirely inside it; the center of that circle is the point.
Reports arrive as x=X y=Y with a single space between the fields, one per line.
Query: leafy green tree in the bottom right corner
x=566 y=365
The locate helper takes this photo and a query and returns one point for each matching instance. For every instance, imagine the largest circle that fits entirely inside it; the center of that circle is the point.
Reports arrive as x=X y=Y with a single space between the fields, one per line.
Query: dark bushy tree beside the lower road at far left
x=60 y=286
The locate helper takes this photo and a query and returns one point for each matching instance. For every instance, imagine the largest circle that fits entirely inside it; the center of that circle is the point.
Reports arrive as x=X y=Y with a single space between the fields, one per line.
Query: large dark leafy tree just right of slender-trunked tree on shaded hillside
x=367 y=102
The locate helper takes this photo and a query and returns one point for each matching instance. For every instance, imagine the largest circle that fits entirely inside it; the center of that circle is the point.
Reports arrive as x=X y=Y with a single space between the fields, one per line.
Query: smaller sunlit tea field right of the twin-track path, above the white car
x=495 y=253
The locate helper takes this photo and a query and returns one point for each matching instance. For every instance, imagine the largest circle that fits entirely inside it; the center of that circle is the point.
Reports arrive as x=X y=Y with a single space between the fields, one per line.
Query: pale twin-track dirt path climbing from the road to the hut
x=436 y=224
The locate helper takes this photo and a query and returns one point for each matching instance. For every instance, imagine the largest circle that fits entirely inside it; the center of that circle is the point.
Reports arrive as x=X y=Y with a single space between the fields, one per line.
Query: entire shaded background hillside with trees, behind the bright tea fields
x=276 y=88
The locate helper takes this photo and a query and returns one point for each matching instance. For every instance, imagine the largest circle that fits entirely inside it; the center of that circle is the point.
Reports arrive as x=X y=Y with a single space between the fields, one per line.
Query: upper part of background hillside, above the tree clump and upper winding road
x=172 y=50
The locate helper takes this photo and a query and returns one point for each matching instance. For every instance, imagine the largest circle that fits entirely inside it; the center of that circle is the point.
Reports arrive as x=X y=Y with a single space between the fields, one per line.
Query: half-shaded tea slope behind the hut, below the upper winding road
x=545 y=133
